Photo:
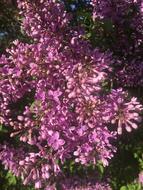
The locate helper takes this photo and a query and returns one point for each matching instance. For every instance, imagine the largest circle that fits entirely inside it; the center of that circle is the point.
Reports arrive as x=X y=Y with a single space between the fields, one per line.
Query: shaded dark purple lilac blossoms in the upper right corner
x=126 y=17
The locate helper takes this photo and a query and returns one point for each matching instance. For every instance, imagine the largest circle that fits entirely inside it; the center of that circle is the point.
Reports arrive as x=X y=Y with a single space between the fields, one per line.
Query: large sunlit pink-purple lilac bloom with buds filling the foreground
x=53 y=100
